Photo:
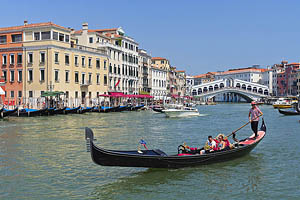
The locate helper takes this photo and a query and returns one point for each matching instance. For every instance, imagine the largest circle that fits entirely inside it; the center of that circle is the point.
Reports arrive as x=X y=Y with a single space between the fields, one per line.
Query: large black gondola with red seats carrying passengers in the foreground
x=158 y=159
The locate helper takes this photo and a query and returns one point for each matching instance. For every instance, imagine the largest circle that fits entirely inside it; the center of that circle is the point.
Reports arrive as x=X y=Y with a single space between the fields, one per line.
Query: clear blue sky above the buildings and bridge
x=198 y=36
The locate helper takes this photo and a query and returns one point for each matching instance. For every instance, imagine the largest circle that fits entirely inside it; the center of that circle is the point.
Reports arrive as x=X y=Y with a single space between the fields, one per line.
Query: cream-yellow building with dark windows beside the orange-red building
x=53 y=62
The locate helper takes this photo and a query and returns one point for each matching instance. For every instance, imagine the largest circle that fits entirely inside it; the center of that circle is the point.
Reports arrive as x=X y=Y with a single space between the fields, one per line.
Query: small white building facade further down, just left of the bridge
x=159 y=83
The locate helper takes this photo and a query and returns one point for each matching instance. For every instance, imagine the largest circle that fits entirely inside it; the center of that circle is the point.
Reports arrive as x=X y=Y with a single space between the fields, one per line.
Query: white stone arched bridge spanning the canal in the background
x=232 y=90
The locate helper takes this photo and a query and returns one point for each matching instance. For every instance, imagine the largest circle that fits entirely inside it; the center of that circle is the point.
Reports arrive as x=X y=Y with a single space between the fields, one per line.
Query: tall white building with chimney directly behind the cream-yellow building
x=123 y=56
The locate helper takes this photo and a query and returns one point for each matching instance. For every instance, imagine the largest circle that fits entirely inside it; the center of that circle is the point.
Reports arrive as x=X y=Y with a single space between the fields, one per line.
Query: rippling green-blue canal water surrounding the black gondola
x=46 y=158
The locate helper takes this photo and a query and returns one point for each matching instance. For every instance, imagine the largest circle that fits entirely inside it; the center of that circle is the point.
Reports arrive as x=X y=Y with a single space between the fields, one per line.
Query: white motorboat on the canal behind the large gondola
x=181 y=111
